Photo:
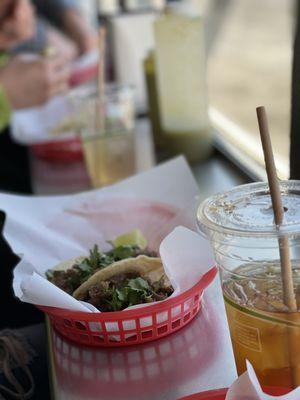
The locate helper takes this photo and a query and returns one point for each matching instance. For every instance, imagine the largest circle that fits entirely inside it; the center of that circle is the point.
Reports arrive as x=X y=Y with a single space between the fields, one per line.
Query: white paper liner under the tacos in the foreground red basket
x=50 y=230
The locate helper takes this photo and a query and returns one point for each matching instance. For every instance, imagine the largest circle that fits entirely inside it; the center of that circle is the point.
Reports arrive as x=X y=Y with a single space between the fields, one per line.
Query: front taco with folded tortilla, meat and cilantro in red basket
x=126 y=283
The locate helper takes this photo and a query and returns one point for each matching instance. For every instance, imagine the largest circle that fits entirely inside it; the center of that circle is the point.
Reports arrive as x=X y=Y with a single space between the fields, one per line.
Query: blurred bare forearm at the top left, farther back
x=77 y=28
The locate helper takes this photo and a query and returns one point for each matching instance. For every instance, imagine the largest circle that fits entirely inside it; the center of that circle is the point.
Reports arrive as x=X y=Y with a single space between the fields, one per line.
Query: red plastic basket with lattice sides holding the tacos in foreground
x=131 y=327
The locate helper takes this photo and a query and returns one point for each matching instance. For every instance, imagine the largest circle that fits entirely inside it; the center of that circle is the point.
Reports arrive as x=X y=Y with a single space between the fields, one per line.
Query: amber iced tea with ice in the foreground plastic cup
x=261 y=328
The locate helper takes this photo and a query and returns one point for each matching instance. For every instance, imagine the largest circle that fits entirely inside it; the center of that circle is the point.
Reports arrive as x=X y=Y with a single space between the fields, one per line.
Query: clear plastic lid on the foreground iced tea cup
x=247 y=211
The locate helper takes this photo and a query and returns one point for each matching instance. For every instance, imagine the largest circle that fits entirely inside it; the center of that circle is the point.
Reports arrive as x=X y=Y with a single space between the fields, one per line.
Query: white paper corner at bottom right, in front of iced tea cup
x=247 y=387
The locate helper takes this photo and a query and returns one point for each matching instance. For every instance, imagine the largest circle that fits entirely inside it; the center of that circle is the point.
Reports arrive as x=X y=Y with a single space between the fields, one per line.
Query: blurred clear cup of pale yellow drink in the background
x=107 y=132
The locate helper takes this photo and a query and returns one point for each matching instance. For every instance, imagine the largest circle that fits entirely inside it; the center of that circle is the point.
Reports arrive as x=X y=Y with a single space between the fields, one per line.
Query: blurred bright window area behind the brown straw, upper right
x=249 y=64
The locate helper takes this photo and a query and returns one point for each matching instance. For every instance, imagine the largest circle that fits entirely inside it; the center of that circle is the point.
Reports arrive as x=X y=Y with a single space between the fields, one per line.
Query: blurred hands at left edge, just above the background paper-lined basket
x=32 y=83
